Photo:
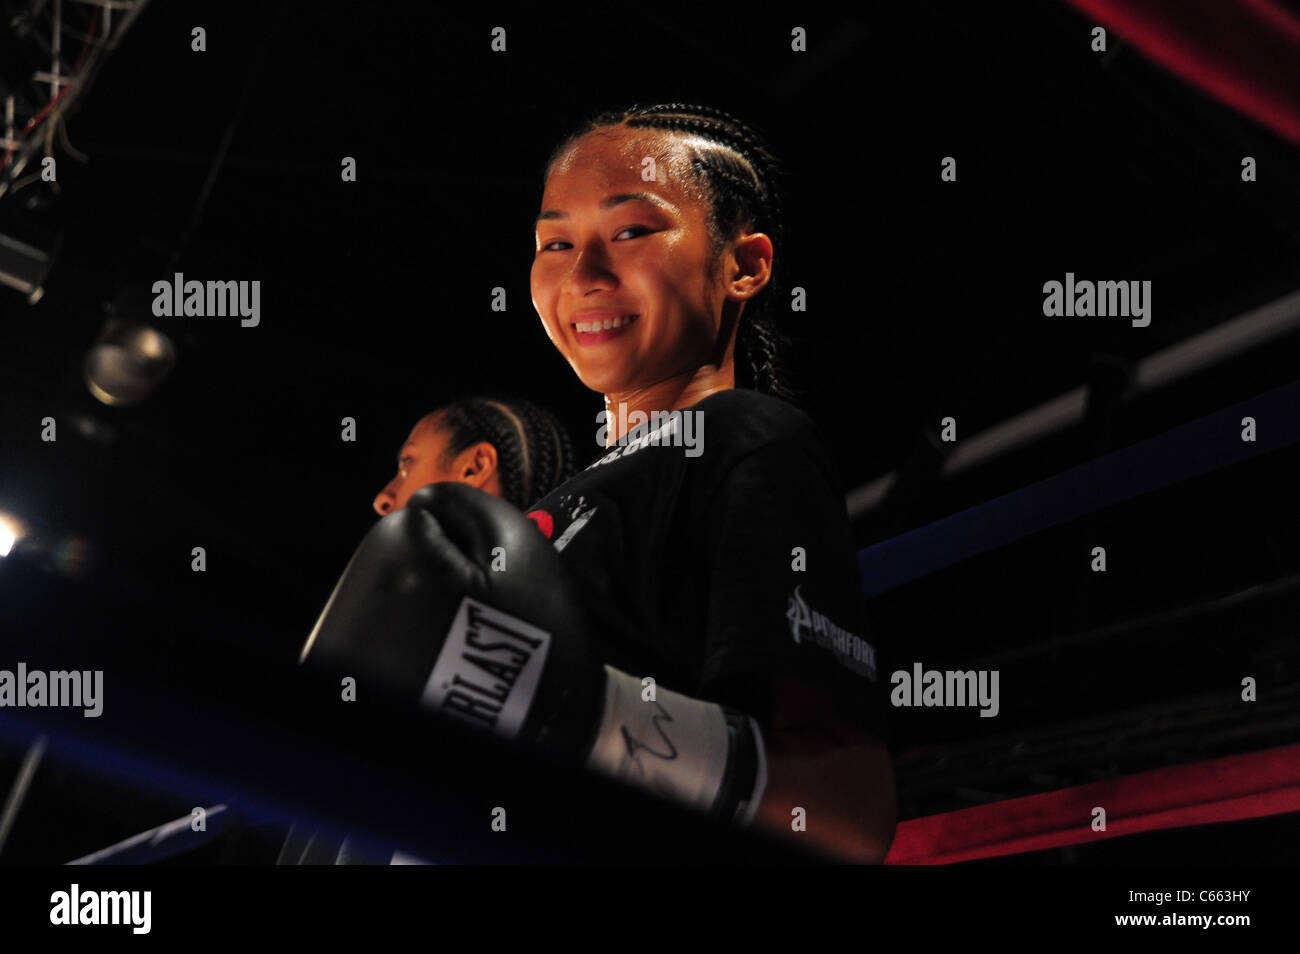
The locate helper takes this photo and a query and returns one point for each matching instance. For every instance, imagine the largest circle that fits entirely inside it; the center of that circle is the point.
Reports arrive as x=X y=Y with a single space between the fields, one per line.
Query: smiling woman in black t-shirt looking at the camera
x=718 y=562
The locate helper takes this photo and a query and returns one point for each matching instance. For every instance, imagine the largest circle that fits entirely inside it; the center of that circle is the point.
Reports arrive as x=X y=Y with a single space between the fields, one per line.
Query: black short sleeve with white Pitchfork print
x=785 y=595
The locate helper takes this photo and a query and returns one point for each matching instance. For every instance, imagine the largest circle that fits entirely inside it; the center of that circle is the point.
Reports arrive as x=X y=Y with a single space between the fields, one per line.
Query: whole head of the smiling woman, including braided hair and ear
x=674 y=241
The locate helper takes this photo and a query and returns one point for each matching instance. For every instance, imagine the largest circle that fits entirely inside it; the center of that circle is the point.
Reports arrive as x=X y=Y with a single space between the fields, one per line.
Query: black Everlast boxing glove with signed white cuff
x=458 y=604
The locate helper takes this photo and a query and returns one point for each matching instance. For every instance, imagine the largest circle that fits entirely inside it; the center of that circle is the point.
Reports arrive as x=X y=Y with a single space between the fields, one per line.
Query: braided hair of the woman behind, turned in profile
x=535 y=454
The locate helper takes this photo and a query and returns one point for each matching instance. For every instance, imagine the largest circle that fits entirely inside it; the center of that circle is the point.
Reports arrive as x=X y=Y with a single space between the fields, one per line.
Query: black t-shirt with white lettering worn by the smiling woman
x=718 y=549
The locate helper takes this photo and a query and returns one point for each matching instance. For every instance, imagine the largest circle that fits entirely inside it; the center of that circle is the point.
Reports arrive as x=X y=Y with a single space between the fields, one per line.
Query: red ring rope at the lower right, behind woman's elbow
x=1229 y=790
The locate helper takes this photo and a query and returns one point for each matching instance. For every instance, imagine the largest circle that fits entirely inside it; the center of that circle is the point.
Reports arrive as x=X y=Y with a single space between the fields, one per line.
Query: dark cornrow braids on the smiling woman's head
x=740 y=177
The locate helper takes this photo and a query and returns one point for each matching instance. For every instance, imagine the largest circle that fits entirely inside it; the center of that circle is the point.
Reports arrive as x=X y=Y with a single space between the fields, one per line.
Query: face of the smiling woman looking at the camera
x=622 y=271
